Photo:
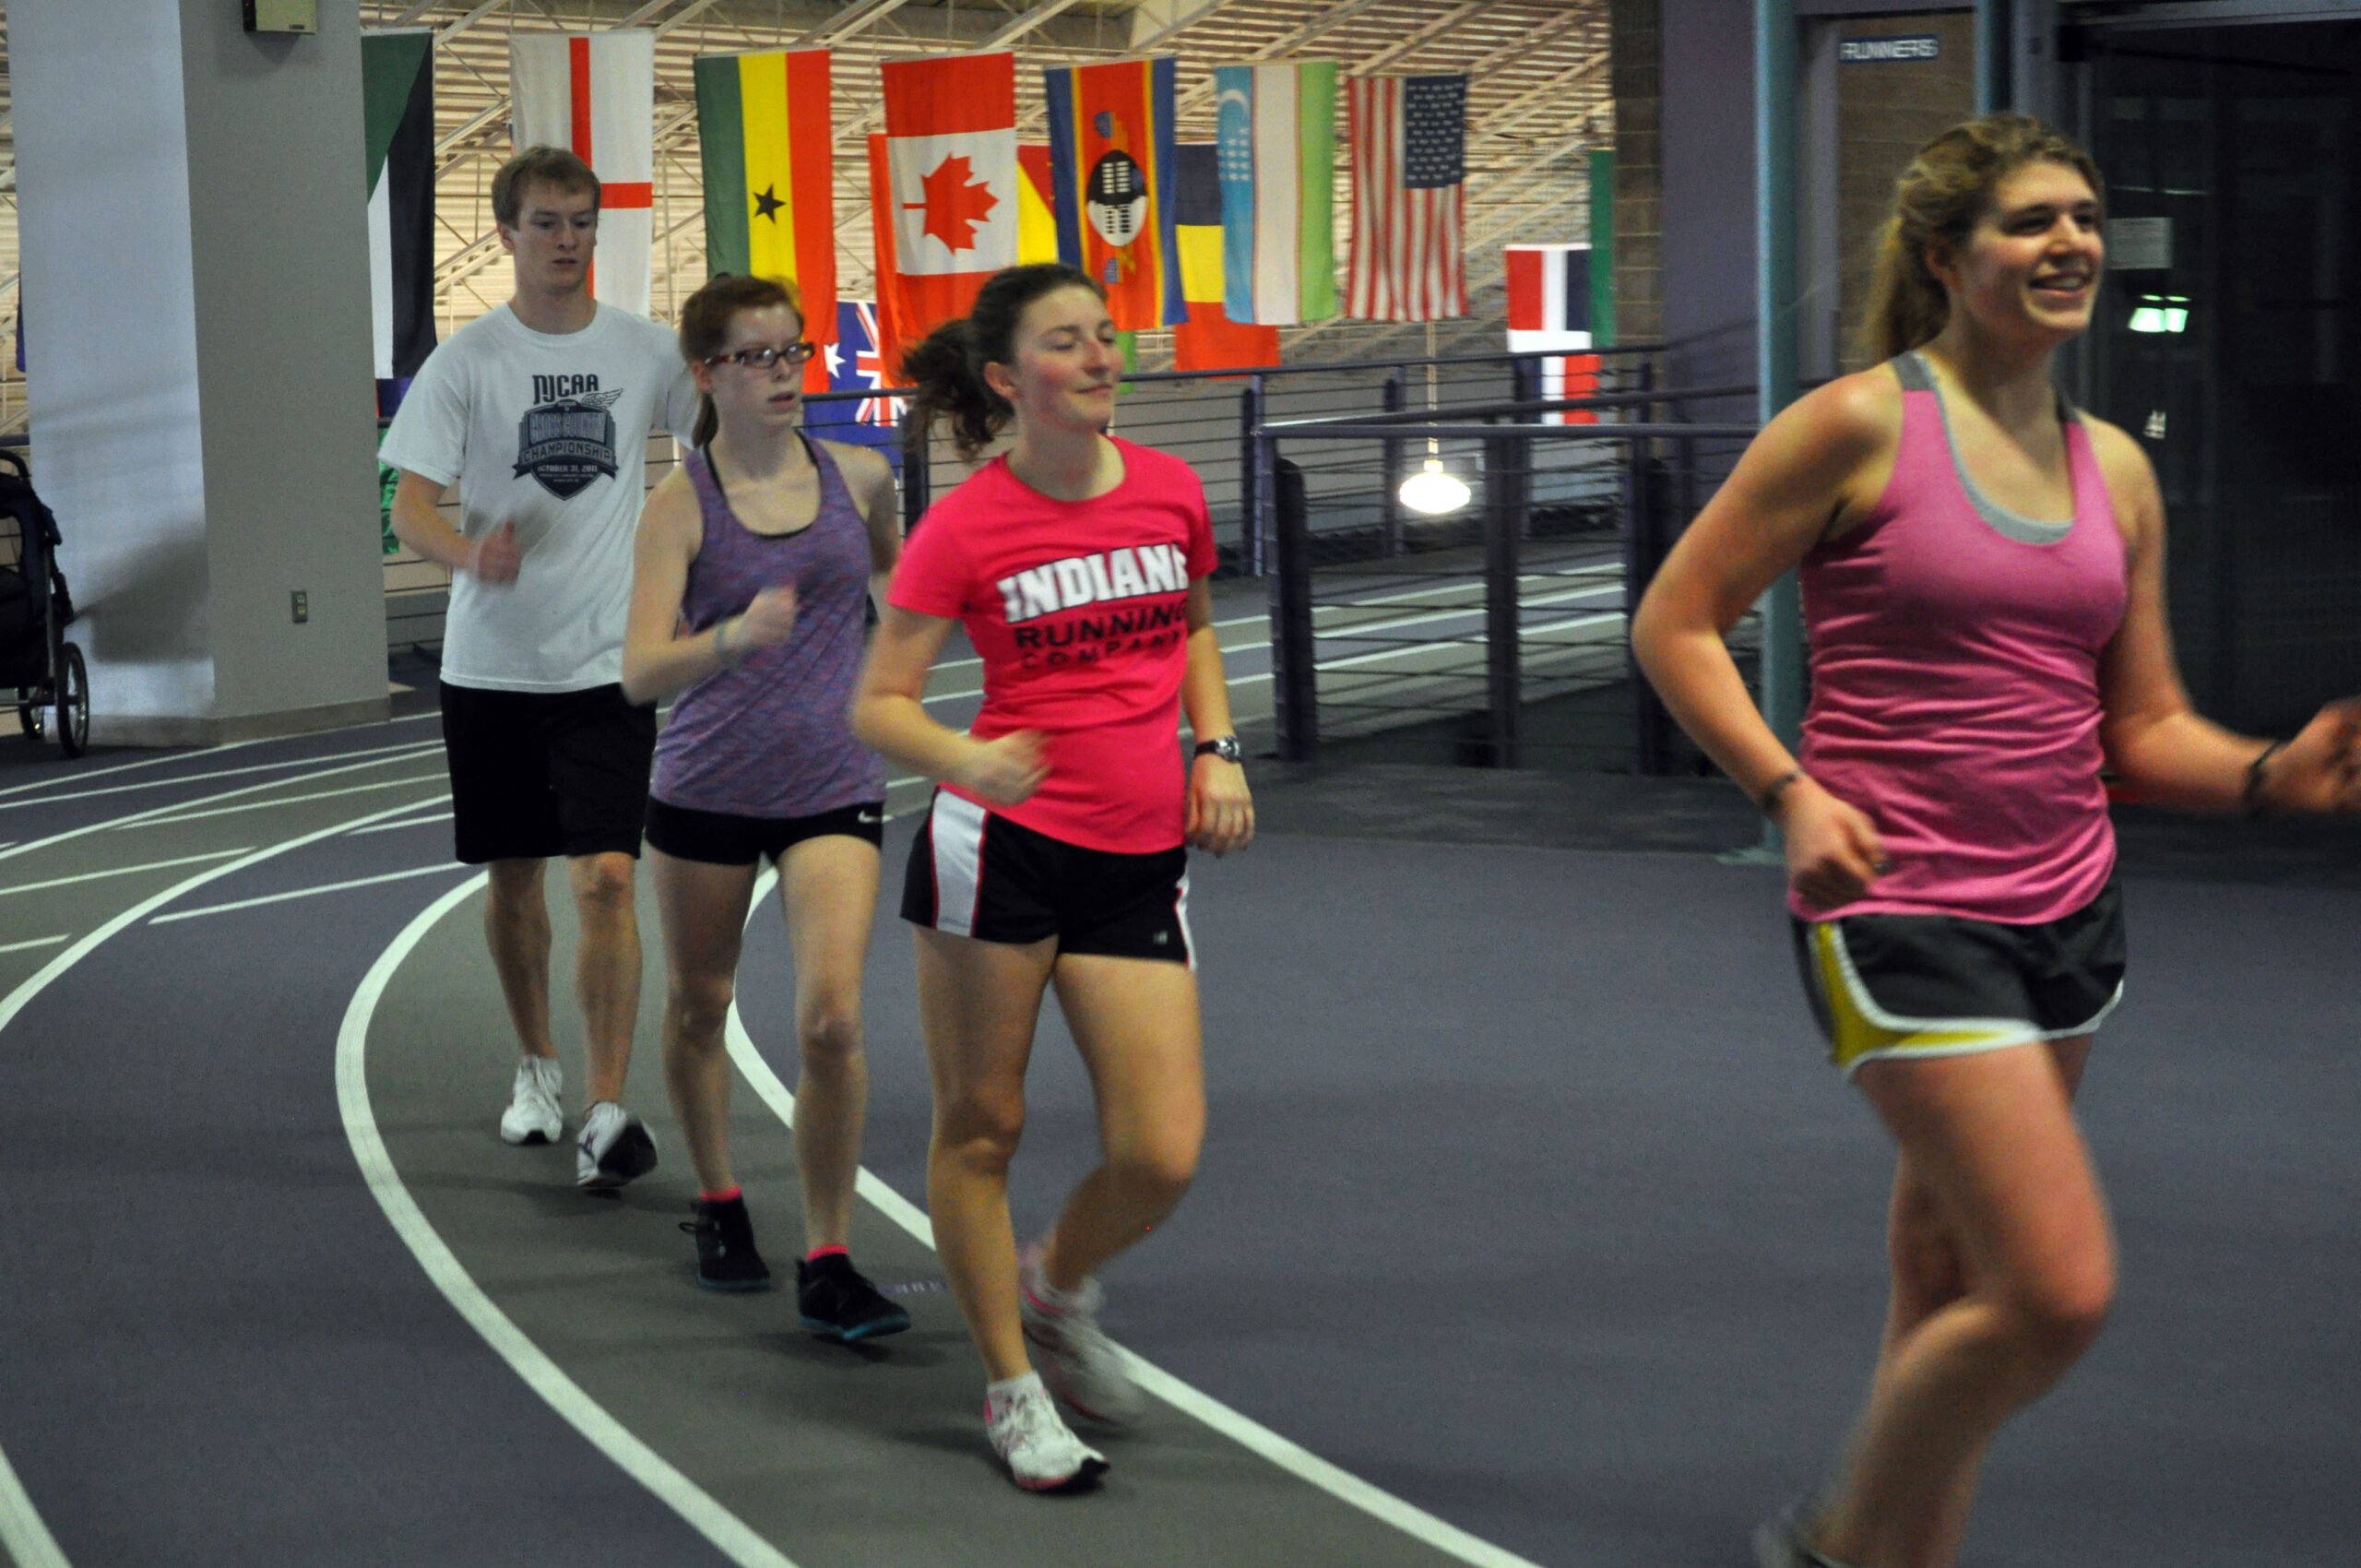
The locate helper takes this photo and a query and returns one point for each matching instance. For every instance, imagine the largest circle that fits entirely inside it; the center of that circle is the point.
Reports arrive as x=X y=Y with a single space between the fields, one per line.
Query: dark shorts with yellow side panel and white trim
x=1911 y=986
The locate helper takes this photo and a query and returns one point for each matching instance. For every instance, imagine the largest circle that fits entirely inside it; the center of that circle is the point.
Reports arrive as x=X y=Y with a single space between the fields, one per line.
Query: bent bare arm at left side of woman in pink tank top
x=1812 y=469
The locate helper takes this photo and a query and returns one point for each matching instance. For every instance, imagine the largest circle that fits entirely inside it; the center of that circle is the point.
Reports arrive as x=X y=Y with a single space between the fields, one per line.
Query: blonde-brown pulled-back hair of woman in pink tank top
x=1937 y=204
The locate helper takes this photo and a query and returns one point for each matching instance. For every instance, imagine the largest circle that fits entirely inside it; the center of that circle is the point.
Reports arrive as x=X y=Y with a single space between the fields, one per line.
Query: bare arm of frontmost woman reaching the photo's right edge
x=2161 y=747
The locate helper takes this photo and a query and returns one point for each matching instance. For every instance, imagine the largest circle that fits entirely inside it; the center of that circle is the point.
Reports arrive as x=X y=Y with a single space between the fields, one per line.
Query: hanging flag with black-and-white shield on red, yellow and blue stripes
x=1111 y=141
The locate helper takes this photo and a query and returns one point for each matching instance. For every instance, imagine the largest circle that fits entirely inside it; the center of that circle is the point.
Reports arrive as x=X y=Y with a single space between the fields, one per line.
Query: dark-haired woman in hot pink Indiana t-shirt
x=1057 y=851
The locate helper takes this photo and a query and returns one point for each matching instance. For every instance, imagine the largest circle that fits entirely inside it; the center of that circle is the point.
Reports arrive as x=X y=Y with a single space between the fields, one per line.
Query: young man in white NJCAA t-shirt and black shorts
x=542 y=412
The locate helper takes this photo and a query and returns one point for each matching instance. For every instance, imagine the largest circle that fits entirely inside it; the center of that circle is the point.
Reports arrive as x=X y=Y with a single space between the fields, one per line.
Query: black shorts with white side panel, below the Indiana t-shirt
x=974 y=875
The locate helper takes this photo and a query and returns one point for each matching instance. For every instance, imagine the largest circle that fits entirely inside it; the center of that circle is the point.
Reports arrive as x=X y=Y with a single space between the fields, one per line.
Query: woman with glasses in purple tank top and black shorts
x=750 y=610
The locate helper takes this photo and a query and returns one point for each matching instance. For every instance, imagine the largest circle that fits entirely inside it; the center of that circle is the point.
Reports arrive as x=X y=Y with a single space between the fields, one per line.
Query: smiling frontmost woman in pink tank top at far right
x=1984 y=592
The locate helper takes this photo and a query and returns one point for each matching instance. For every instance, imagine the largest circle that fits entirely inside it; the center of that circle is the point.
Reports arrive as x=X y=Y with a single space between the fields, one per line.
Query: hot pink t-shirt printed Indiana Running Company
x=1078 y=610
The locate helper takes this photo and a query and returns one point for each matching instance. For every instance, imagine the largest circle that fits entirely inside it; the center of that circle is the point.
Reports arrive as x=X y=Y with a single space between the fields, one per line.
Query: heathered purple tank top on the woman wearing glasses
x=771 y=736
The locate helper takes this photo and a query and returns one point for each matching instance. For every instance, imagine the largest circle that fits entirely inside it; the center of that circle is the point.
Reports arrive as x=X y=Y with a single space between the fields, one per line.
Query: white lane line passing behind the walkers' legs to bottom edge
x=1234 y=1425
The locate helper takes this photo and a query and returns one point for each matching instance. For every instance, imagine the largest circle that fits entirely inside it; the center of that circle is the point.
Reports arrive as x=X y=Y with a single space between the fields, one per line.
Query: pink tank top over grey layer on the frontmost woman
x=1956 y=681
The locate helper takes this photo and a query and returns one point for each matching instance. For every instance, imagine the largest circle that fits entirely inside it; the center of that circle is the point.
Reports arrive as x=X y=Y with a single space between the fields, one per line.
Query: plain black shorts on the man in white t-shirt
x=547 y=773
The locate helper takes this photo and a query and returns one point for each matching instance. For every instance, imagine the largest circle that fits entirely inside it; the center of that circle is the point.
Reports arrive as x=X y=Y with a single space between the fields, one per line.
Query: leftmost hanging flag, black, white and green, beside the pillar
x=398 y=105
